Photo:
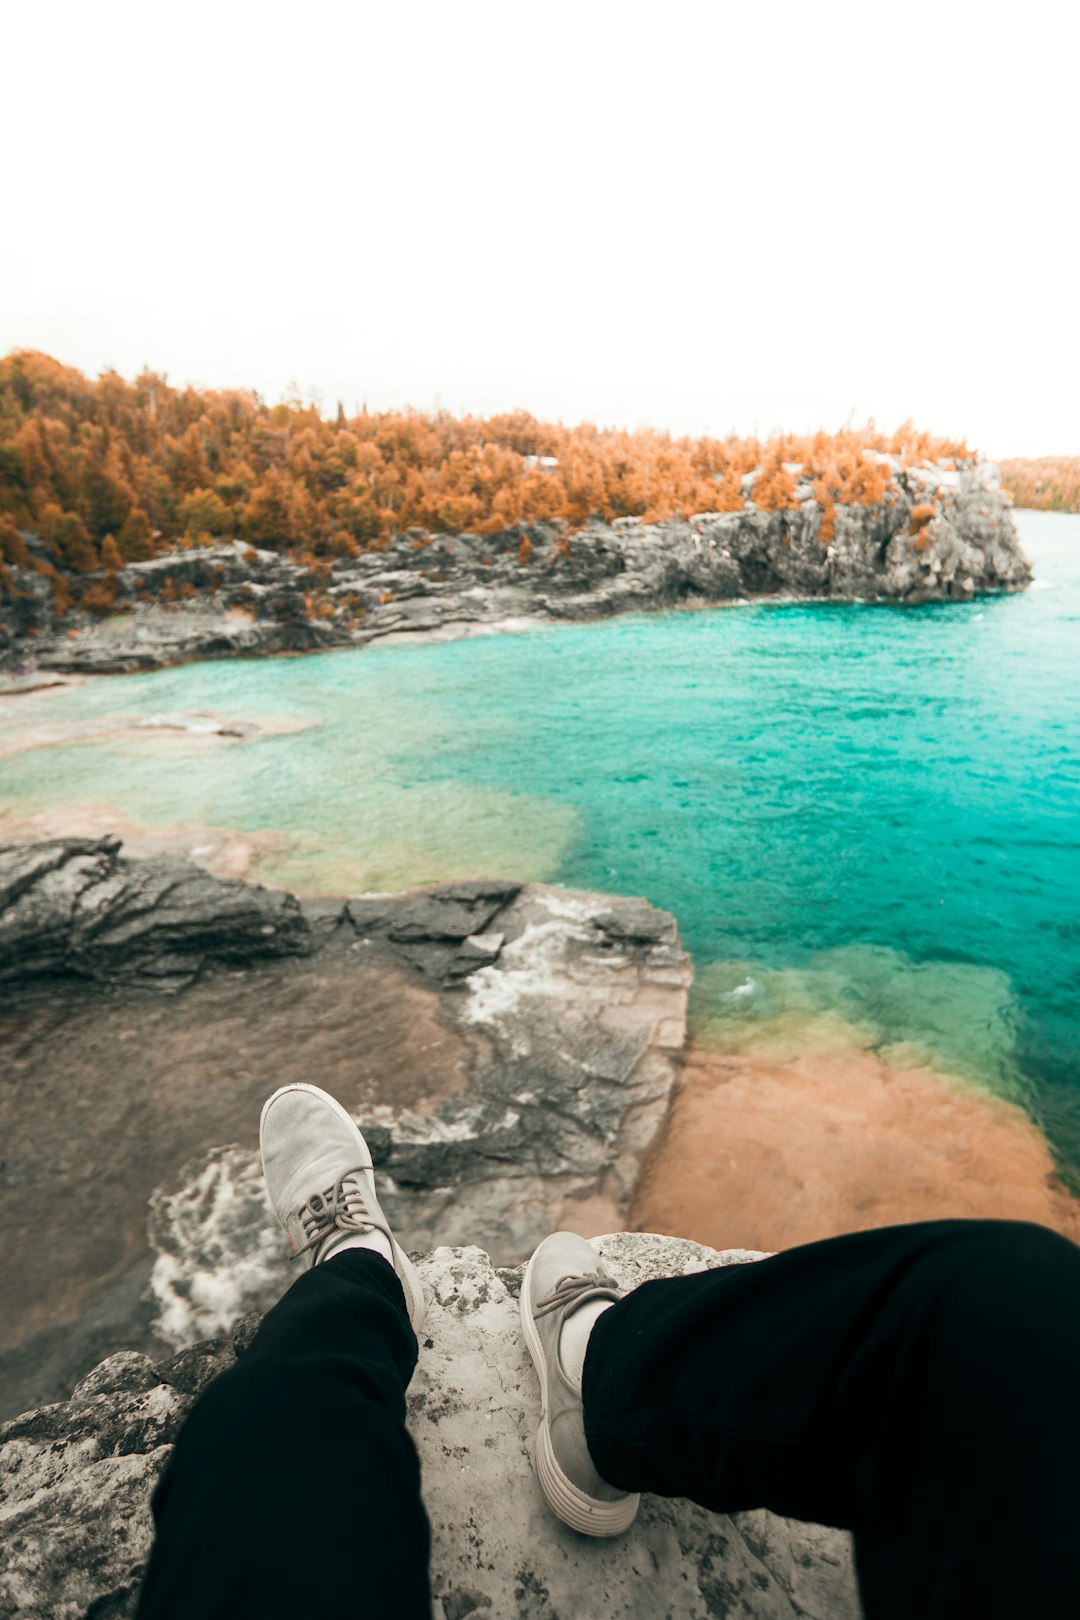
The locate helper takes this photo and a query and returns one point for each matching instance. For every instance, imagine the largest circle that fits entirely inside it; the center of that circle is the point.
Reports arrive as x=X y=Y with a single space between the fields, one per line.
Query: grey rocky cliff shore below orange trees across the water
x=940 y=535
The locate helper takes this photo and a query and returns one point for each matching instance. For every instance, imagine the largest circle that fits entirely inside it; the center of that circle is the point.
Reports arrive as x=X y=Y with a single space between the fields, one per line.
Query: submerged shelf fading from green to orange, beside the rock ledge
x=861 y=1093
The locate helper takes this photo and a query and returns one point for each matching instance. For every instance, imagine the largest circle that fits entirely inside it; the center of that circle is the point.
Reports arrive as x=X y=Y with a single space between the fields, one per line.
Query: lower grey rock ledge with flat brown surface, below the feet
x=563 y=1017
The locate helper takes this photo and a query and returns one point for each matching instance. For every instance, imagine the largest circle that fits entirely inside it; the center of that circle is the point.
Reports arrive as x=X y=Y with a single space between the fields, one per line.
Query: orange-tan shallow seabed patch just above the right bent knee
x=770 y=1149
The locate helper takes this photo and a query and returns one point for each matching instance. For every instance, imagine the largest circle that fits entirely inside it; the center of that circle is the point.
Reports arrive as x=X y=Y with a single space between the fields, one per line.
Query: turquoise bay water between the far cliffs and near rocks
x=854 y=811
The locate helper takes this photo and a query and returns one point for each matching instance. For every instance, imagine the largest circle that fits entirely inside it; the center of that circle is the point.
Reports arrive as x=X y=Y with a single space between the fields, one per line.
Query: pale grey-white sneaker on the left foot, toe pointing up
x=321 y=1185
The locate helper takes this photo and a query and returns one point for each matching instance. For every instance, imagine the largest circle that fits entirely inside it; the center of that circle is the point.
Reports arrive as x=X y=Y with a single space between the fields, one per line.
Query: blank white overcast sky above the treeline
x=702 y=216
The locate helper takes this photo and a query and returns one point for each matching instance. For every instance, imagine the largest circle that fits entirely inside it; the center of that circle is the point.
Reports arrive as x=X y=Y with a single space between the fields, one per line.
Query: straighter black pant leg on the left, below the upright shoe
x=294 y=1486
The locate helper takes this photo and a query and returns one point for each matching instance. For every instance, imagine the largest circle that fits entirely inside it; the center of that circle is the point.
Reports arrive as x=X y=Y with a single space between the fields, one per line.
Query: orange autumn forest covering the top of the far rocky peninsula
x=150 y=466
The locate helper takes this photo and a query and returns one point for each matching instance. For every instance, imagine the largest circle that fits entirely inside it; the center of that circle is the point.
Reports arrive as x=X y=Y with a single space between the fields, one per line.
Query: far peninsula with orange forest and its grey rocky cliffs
x=143 y=524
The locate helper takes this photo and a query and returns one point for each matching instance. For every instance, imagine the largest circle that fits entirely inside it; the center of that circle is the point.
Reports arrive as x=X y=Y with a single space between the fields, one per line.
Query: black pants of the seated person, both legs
x=919 y=1386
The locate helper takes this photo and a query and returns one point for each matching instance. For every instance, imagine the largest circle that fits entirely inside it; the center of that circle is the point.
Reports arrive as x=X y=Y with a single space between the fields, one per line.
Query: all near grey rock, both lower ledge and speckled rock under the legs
x=540 y=1034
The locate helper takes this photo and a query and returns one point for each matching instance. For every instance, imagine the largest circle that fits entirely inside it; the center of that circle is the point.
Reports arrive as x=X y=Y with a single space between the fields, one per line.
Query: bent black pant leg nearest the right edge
x=919 y=1386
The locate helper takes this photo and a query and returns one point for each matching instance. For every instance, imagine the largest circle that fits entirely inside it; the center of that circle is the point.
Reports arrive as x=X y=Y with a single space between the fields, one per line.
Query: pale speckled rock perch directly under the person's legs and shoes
x=75 y=1481
